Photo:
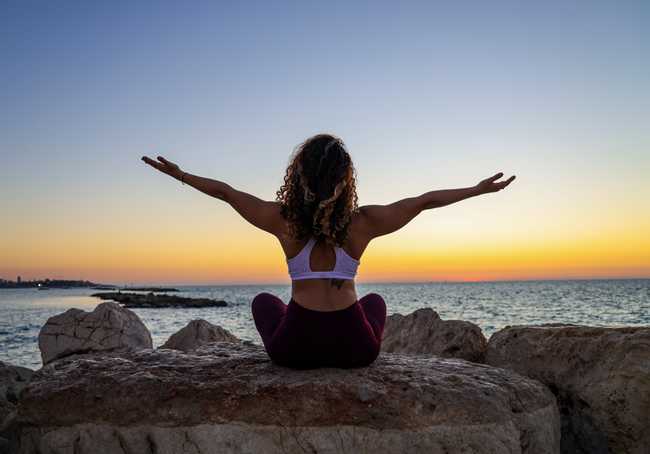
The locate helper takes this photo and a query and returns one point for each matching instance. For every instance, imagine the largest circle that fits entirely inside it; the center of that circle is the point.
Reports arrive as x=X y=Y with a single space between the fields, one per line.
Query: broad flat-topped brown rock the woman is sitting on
x=229 y=398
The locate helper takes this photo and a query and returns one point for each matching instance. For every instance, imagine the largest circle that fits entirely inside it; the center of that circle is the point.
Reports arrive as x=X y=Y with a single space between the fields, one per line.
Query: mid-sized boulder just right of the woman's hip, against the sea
x=424 y=332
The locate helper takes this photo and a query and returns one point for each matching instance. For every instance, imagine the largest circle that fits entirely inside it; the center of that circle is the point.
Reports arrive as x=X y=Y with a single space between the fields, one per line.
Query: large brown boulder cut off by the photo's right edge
x=601 y=377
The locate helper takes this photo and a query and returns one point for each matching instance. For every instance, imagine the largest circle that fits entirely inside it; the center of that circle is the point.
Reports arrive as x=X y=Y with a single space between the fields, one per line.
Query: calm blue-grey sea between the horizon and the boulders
x=491 y=305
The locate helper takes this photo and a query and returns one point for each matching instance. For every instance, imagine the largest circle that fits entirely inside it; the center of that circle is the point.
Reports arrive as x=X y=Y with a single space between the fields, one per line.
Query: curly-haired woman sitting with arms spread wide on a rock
x=323 y=234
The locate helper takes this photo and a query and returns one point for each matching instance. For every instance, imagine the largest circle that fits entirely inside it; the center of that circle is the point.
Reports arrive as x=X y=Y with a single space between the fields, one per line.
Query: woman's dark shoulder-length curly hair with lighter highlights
x=319 y=194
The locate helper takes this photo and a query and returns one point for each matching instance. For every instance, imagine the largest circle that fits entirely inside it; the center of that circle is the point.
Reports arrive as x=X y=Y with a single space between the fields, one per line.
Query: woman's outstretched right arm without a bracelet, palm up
x=377 y=220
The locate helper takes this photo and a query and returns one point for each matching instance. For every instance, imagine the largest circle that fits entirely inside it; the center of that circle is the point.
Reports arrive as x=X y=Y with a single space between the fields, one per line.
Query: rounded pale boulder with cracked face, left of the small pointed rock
x=108 y=327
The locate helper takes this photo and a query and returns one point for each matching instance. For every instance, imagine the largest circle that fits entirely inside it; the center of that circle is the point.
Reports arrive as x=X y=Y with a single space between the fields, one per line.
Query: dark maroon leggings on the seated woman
x=297 y=337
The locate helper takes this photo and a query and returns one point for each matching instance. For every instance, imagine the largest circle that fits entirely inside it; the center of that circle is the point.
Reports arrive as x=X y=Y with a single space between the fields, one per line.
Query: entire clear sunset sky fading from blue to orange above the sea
x=426 y=95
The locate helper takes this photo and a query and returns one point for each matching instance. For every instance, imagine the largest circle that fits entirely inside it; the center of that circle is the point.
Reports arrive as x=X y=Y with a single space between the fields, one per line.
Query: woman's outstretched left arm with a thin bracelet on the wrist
x=262 y=214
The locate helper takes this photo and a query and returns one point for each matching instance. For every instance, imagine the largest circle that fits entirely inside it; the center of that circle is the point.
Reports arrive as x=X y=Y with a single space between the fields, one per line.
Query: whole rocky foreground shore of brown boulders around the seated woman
x=438 y=387
